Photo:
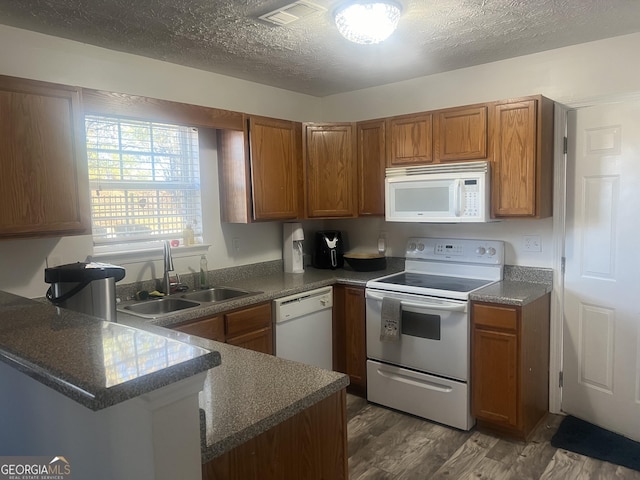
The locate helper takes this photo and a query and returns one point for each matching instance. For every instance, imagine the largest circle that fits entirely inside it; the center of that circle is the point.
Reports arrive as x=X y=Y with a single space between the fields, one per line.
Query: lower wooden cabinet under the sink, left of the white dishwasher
x=247 y=328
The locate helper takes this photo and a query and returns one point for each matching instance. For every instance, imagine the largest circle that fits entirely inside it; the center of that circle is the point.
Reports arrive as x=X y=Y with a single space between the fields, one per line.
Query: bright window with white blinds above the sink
x=144 y=178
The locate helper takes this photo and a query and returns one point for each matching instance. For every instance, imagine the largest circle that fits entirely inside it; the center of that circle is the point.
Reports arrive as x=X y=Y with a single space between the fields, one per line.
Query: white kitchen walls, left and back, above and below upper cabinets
x=597 y=69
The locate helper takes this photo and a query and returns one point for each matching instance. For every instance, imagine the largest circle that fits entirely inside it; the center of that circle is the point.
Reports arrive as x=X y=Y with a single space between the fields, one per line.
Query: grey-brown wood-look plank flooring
x=386 y=444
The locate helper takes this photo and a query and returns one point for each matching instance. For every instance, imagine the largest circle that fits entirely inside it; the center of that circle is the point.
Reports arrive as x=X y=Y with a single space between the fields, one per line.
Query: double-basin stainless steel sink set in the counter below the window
x=161 y=307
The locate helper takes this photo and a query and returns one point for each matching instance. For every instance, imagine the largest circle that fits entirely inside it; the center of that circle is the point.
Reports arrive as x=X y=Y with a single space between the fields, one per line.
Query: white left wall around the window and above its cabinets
x=41 y=57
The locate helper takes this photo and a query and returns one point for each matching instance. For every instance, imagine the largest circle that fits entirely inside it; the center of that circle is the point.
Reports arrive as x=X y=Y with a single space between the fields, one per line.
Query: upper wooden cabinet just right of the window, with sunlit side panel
x=260 y=171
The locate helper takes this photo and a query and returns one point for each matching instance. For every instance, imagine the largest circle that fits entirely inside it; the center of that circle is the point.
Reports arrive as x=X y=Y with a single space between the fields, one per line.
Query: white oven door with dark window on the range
x=434 y=334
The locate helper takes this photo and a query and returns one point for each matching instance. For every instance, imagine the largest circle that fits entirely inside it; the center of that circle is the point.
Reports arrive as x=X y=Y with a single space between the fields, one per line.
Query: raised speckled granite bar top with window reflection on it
x=95 y=363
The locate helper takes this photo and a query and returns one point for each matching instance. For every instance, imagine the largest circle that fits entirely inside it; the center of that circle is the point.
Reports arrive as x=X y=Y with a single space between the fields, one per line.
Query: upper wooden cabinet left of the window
x=44 y=186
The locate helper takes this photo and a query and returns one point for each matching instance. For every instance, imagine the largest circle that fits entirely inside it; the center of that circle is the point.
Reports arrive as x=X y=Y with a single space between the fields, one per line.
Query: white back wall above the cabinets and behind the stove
x=590 y=71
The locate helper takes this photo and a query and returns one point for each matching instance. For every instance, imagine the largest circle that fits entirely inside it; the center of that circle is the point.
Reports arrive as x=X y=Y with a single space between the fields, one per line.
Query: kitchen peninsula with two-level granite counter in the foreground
x=122 y=402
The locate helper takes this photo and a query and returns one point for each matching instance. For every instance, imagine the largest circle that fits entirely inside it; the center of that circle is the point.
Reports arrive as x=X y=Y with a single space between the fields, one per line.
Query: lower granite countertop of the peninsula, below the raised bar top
x=250 y=392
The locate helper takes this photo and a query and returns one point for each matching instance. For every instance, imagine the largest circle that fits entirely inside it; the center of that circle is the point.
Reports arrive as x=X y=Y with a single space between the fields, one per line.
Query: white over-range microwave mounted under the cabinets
x=442 y=193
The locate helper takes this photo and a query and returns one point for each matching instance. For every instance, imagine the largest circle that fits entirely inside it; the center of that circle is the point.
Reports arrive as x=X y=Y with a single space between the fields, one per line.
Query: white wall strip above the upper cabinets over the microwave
x=567 y=75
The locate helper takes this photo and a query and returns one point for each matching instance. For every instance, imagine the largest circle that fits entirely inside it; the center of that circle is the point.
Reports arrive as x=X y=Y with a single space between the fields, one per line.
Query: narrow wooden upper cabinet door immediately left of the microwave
x=371 y=164
